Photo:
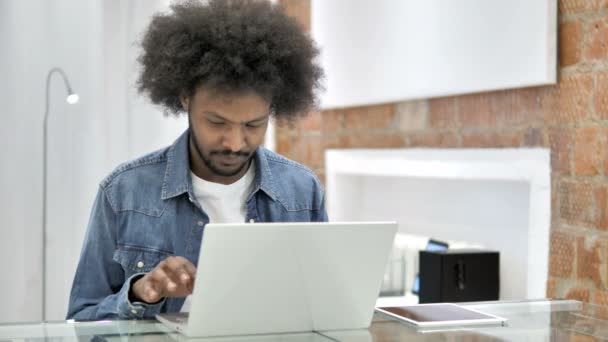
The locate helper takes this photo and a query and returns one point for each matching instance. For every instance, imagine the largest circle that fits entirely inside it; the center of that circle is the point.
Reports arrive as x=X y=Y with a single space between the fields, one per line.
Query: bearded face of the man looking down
x=225 y=132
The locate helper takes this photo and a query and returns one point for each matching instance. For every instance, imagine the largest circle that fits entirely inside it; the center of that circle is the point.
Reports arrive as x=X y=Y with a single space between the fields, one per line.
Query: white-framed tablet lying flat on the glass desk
x=440 y=315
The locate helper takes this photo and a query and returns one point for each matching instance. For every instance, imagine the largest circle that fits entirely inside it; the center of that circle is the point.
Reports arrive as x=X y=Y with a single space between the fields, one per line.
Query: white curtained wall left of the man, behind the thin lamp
x=93 y=42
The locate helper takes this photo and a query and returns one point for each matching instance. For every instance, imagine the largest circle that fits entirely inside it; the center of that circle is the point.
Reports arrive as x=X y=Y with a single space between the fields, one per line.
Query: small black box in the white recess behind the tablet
x=460 y=275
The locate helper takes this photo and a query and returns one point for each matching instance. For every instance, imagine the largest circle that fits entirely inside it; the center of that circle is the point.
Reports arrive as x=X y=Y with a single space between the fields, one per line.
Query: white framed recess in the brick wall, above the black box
x=497 y=198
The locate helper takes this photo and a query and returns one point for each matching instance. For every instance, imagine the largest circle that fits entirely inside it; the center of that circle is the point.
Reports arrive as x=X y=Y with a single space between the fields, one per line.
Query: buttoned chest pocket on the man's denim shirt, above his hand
x=138 y=260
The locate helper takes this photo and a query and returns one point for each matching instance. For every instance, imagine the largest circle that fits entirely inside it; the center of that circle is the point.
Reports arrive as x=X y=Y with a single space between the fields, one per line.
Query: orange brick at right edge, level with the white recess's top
x=589 y=151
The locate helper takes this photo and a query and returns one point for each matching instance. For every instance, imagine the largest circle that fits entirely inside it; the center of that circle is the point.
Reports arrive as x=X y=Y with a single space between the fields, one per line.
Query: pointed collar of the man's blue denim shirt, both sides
x=177 y=179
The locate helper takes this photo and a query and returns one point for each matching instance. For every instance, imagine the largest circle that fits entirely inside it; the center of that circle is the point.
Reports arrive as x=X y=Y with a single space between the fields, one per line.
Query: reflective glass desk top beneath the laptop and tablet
x=541 y=320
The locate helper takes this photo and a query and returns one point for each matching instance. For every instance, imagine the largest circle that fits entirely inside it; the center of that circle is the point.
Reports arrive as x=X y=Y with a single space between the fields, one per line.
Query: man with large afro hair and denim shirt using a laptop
x=229 y=65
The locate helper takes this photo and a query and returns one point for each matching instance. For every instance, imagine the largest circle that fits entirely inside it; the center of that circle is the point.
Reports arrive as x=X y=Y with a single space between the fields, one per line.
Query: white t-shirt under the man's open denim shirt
x=223 y=203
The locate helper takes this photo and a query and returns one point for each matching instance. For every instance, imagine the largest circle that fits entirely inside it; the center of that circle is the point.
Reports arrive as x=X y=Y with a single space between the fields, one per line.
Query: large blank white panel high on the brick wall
x=387 y=51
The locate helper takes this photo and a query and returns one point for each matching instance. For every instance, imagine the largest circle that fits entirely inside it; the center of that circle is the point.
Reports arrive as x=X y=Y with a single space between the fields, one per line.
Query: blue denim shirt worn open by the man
x=145 y=211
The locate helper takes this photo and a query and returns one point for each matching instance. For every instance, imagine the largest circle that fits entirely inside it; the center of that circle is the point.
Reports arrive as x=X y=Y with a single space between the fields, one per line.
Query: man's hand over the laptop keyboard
x=173 y=277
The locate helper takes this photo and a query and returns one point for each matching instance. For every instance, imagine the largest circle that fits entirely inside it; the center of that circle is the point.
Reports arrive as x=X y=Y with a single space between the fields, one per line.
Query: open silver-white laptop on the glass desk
x=268 y=278
